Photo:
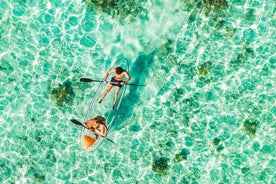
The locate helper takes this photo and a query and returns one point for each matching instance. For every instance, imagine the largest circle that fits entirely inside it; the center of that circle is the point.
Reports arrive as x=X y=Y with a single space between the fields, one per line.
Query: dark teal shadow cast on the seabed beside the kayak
x=137 y=69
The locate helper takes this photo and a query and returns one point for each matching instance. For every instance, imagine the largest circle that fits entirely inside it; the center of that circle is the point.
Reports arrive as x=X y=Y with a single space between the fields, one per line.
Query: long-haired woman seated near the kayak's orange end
x=97 y=125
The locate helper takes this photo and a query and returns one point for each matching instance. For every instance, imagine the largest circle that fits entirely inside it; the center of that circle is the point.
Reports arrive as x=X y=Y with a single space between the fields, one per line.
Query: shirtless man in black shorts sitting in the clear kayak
x=116 y=80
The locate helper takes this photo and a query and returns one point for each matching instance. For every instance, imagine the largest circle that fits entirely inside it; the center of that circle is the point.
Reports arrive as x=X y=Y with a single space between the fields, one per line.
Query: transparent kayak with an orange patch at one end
x=87 y=139
